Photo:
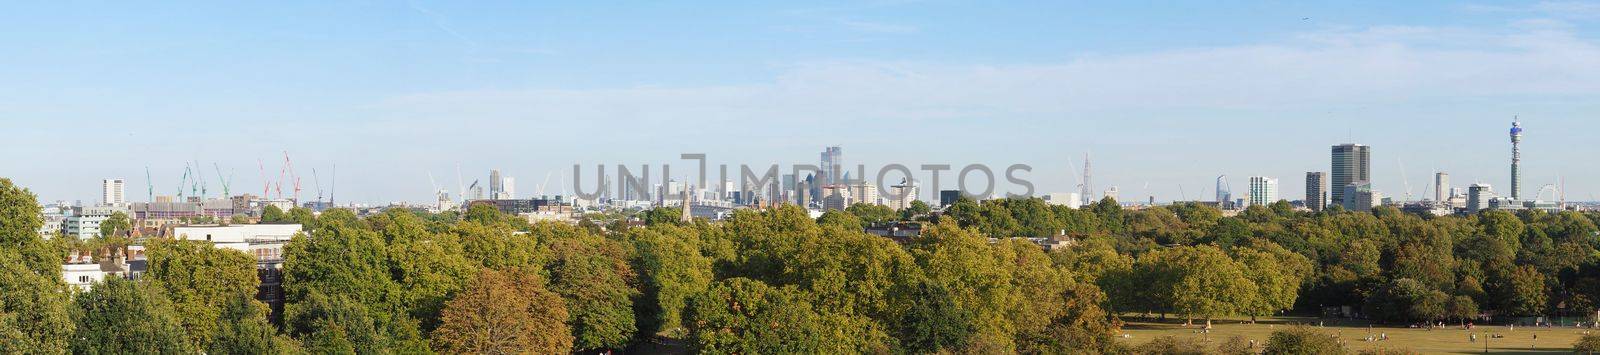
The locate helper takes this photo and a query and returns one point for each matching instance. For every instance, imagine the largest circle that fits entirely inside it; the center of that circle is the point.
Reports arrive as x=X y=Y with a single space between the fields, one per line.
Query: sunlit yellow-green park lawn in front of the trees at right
x=1450 y=340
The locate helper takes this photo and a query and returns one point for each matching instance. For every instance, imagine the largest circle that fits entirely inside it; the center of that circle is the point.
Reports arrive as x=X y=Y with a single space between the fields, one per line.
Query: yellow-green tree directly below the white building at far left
x=201 y=281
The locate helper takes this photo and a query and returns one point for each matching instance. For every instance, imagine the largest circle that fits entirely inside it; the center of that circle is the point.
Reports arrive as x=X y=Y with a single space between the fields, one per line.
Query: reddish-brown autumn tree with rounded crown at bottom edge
x=505 y=313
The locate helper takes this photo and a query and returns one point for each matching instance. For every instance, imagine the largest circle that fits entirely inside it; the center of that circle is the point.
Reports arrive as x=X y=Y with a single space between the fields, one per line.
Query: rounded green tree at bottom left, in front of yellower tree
x=122 y=317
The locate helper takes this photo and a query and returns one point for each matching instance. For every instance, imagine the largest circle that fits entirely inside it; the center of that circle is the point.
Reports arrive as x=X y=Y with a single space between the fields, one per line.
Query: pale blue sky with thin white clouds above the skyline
x=1164 y=97
